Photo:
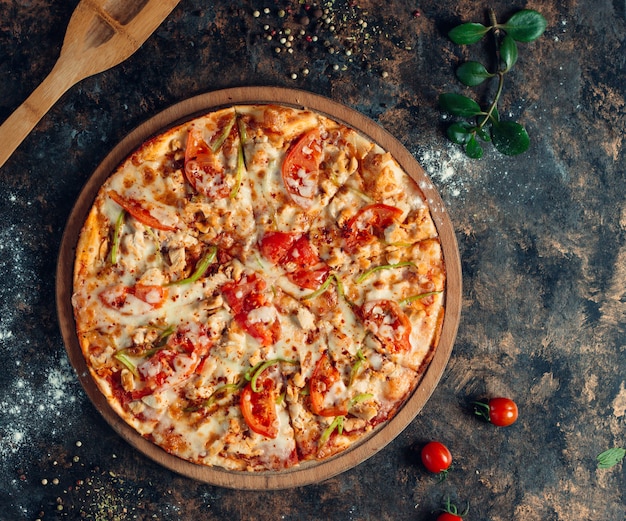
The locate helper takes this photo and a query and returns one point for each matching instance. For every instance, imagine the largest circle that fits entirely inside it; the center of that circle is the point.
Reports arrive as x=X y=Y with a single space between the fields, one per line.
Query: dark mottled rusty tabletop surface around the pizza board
x=541 y=239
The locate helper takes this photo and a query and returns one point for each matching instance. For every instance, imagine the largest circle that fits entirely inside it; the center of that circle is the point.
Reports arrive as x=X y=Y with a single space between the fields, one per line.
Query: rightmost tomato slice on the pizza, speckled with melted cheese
x=389 y=324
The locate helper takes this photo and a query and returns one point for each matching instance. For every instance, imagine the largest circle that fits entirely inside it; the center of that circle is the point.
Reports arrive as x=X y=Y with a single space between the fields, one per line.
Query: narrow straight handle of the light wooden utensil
x=19 y=124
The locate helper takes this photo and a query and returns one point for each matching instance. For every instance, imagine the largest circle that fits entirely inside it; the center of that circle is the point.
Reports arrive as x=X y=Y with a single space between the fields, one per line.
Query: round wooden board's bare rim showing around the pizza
x=309 y=472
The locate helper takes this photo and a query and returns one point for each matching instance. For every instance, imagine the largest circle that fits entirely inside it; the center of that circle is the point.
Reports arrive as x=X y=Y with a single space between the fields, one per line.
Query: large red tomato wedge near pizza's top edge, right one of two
x=300 y=168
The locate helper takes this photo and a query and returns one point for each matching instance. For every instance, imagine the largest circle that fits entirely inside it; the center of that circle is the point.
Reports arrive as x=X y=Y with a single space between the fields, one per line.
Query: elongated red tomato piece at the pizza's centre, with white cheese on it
x=252 y=310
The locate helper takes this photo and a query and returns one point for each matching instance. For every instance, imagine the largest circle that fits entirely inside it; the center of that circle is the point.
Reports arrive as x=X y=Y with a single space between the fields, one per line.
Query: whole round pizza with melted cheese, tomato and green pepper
x=258 y=287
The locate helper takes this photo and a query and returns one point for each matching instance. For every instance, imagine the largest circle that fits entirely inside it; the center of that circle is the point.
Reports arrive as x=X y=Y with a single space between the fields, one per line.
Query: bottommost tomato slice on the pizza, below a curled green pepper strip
x=259 y=408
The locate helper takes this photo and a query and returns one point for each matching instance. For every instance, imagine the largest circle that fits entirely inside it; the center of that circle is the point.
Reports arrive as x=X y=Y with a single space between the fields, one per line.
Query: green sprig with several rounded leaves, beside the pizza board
x=475 y=124
